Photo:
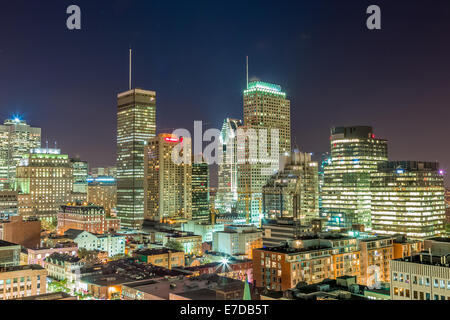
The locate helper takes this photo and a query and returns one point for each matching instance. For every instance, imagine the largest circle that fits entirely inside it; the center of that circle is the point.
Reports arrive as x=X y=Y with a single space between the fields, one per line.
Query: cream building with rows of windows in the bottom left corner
x=22 y=281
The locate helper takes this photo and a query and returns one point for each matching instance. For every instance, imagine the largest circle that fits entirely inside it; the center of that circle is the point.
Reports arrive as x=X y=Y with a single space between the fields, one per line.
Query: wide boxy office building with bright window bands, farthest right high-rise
x=408 y=198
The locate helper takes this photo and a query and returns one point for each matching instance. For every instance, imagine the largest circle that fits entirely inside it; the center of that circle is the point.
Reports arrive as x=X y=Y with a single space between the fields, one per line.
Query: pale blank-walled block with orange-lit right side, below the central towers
x=237 y=240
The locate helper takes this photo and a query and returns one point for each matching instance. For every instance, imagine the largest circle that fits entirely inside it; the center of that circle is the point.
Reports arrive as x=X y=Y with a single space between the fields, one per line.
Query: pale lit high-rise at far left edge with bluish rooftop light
x=16 y=140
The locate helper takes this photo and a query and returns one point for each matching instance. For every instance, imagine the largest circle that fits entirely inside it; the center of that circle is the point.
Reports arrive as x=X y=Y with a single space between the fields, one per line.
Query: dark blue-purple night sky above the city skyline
x=192 y=53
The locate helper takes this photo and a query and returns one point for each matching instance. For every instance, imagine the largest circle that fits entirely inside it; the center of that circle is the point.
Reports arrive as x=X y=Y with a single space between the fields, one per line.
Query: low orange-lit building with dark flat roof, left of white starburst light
x=166 y=258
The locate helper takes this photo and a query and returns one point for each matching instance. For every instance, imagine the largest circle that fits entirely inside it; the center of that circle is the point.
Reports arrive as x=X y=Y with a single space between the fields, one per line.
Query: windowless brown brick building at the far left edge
x=26 y=232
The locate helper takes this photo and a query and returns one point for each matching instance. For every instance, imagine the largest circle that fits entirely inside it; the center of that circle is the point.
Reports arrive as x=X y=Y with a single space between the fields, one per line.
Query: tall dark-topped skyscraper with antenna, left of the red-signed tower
x=136 y=125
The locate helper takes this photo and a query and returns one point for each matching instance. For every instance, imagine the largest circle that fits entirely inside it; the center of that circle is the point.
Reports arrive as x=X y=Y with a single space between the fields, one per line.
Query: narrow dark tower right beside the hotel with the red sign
x=200 y=192
